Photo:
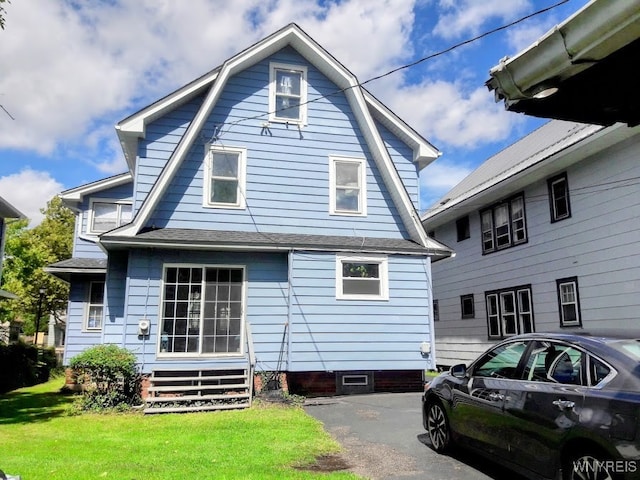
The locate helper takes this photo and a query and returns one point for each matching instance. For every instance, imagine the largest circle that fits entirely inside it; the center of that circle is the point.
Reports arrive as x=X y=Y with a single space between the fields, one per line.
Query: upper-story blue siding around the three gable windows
x=287 y=188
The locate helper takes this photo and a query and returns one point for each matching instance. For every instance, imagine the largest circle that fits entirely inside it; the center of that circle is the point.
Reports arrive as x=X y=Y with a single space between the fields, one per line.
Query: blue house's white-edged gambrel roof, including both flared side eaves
x=366 y=109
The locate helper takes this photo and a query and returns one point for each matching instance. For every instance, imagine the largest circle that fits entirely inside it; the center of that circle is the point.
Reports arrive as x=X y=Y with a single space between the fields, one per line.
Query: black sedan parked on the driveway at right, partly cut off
x=554 y=405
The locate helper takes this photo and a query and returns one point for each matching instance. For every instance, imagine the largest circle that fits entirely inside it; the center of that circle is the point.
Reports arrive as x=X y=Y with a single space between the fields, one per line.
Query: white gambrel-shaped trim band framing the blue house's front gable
x=294 y=36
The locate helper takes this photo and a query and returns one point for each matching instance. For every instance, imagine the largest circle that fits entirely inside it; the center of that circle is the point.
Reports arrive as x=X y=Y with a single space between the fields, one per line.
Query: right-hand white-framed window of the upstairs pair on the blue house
x=348 y=186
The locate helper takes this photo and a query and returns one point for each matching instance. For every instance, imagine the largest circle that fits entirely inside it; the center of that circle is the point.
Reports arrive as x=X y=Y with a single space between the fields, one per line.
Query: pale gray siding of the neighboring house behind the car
x=599 y=244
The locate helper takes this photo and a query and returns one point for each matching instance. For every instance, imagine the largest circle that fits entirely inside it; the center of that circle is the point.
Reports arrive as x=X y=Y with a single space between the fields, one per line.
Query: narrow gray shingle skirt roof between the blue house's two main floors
x=189 y=238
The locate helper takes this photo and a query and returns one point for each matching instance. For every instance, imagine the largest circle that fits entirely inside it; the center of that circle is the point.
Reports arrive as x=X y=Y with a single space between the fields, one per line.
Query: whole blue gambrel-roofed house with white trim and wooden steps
x=267 y=224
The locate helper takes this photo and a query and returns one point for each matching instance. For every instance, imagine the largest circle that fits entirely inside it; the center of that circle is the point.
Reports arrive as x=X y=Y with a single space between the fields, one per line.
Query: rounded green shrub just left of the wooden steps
x=109 y=377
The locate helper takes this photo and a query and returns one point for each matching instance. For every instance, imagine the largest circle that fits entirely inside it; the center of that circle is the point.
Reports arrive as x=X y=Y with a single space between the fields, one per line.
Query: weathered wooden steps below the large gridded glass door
x=173 y=391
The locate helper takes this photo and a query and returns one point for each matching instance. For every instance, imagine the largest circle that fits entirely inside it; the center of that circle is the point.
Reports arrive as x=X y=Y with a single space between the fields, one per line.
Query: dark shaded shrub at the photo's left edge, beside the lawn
x=23 y=365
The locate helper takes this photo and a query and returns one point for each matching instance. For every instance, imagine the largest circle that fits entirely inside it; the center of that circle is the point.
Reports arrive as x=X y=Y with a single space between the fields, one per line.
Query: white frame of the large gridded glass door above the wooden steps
x=241 y=353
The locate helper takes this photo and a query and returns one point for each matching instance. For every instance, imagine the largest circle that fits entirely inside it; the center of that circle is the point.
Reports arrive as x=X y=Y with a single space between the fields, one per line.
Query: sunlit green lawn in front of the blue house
x=41 y=439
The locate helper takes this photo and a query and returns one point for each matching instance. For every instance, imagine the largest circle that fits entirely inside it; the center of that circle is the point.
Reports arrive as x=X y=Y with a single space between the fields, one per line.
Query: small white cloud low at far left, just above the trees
x=29 y=191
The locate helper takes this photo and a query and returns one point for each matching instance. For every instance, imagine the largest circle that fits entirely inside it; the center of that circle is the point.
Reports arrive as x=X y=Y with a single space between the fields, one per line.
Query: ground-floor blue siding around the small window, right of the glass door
x=330 y=334
